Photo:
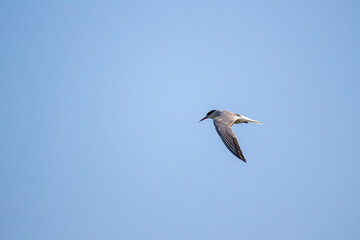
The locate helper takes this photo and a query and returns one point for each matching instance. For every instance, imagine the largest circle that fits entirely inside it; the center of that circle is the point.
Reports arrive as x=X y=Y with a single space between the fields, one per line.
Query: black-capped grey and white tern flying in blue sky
x=223 y=121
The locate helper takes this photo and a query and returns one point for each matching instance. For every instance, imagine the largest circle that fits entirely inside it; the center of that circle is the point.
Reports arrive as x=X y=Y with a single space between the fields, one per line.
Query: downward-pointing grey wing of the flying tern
x=228 y=136
